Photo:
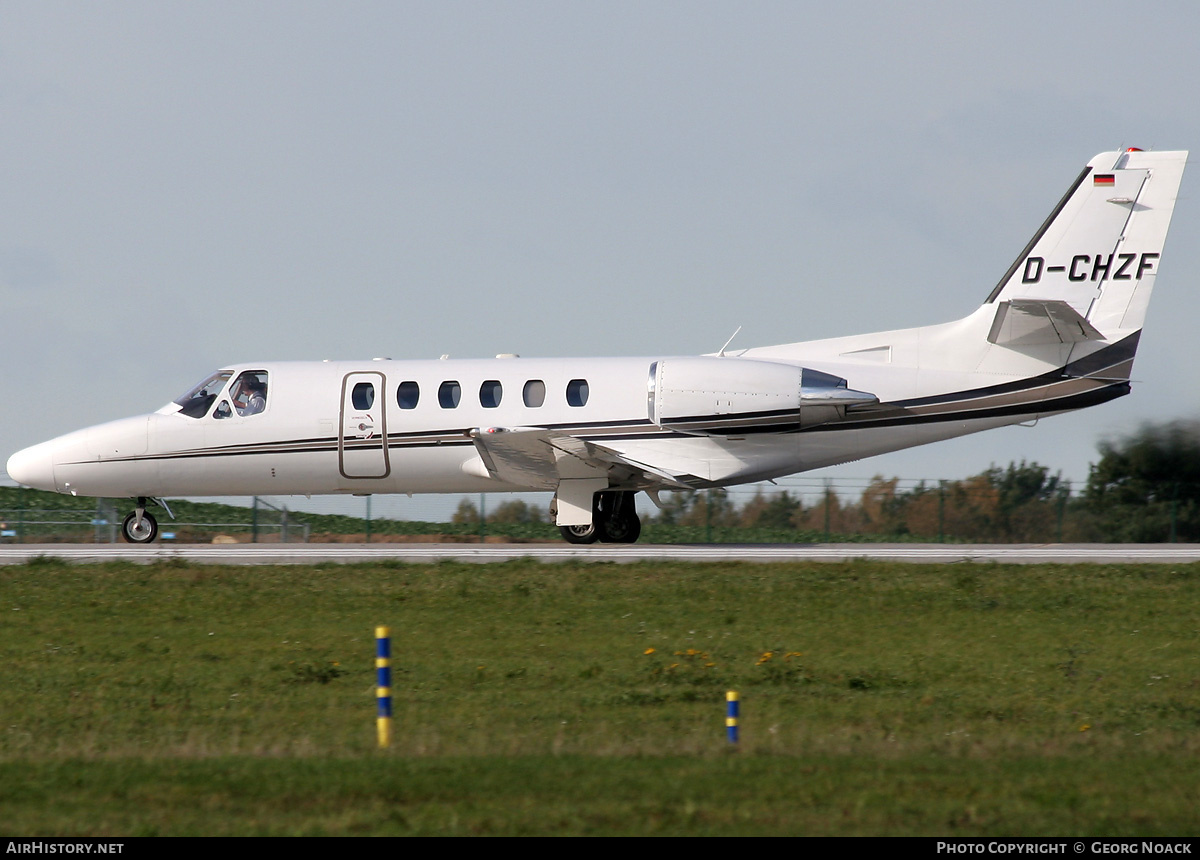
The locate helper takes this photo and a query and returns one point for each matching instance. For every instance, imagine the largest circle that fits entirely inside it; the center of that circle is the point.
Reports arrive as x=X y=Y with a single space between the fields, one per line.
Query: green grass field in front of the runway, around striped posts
x=878 y=699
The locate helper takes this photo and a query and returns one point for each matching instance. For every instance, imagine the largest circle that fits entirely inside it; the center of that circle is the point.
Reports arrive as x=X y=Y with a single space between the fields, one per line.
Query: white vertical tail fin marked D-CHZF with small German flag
x=1095 y=260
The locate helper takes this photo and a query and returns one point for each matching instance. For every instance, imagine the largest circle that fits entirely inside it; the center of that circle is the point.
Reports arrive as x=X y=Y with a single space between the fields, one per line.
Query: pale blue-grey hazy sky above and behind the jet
x=187 y=187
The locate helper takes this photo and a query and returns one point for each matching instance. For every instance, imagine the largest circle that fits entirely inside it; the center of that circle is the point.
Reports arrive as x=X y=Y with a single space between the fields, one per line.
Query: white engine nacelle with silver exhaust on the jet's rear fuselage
x=729 y=396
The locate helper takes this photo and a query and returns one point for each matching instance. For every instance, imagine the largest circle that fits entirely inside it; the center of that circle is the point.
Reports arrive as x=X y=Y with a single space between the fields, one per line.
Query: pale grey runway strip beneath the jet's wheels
x=349 y=554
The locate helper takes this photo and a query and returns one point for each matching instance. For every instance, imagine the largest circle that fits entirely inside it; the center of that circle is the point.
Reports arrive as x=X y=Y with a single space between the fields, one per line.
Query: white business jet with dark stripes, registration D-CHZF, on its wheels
x=1059 y=333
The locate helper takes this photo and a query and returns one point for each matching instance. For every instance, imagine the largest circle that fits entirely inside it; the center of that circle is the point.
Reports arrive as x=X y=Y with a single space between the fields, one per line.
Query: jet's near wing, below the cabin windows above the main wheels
x=541 y=459
